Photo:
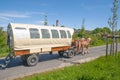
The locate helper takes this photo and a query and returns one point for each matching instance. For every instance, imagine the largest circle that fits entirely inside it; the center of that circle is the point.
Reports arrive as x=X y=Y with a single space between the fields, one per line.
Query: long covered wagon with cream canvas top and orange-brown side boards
x=28 y=41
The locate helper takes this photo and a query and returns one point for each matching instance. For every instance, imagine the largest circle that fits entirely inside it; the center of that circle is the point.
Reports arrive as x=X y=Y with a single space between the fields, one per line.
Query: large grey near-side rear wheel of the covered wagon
x=32 y=60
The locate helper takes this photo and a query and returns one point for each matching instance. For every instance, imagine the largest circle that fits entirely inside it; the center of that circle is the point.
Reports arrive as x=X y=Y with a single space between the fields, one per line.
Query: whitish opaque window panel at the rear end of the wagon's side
x=20 y=33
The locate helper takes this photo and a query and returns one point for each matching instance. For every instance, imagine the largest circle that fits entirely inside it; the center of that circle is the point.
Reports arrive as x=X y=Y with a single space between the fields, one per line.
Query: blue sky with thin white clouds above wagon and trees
x=70 y=13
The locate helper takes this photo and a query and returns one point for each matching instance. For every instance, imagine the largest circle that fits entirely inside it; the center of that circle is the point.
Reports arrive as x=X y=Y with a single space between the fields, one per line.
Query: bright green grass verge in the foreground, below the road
x=103 y=68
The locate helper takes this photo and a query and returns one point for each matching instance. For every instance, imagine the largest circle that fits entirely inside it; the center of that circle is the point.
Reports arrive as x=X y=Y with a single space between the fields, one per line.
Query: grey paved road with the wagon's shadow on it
x=48 y=62
